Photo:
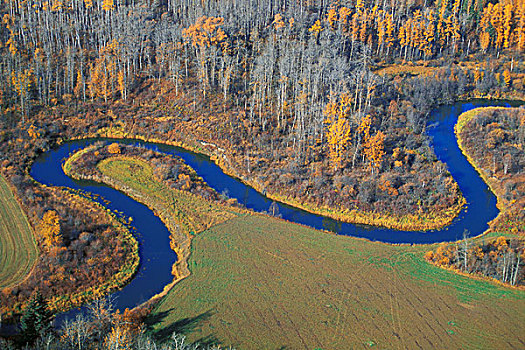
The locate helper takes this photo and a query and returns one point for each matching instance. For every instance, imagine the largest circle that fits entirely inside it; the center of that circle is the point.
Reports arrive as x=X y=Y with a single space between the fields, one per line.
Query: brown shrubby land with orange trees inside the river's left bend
x=75 y=237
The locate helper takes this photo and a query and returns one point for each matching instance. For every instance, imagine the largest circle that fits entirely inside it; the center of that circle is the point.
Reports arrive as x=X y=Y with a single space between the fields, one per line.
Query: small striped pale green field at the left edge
x=18 y=250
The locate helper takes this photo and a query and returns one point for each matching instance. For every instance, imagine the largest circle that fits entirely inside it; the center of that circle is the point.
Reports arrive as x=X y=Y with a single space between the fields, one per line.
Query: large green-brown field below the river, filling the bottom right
x=261 y=283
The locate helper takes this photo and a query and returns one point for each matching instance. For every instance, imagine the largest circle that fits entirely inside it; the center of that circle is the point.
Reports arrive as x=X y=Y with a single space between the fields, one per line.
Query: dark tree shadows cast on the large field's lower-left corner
x=182 y=326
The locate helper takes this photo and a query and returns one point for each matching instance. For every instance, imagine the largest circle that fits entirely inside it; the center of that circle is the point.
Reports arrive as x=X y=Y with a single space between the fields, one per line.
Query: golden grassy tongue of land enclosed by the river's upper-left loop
x=184 y=213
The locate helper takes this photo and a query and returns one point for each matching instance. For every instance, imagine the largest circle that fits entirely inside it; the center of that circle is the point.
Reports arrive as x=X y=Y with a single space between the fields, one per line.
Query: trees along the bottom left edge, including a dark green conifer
x=99 y=327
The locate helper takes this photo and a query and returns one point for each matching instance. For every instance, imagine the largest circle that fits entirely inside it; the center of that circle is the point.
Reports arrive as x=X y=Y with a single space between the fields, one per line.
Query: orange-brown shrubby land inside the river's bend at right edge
x=494 y=139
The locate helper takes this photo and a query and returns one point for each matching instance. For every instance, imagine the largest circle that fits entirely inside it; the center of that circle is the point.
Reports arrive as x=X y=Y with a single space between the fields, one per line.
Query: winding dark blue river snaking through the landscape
x=156 y=257
